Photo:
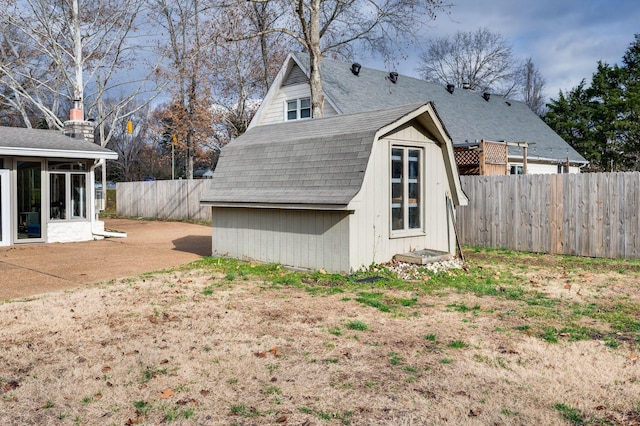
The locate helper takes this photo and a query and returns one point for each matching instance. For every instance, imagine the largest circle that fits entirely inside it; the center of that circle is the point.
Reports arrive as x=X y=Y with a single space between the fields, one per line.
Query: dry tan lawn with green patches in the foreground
x=220 y=345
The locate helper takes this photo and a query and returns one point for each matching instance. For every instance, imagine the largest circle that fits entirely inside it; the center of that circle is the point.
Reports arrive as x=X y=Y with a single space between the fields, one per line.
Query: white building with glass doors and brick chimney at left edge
x=47 y=189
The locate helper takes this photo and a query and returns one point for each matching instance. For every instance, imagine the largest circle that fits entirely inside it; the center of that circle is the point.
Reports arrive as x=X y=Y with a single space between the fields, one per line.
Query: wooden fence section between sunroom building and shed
x=163 y=199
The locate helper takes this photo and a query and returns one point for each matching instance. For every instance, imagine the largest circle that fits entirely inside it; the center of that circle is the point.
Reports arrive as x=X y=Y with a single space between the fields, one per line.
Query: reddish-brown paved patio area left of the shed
x=28 y=270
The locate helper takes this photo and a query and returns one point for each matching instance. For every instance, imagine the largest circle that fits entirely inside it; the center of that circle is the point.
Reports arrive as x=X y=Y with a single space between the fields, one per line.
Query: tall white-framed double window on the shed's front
x=406 y=184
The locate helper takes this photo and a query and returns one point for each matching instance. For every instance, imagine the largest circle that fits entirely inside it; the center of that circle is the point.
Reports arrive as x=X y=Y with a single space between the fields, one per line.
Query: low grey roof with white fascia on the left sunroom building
x=17 y=141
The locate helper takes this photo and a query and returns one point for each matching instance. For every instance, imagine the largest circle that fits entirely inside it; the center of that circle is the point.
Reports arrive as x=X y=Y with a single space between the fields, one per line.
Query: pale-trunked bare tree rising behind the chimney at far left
x=55 y=53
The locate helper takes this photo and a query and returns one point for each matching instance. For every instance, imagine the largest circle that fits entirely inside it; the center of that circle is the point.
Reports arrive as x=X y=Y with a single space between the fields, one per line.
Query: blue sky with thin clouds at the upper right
x=564 y=38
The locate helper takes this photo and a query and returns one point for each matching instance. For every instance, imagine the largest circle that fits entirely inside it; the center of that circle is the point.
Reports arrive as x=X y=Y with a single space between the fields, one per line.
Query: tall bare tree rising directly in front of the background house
x=323 y=26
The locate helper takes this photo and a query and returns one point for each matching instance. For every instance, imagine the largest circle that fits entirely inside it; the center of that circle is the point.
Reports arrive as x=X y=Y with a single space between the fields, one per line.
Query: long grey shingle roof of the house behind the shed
x=466 y=114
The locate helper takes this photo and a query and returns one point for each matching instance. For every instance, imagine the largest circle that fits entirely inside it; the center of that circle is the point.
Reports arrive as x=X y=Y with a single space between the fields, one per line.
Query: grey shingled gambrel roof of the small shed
x=319 y=163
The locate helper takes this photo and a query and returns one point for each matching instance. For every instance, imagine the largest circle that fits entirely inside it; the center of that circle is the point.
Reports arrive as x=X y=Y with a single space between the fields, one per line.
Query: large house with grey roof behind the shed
x=469 y=117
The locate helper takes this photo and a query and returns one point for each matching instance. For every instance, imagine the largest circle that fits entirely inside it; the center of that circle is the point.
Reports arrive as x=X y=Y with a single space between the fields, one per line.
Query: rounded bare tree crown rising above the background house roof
x=479 y=60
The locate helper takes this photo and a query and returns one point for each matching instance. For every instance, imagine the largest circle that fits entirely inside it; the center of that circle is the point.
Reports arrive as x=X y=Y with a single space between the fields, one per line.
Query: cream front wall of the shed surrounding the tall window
x=371 y=230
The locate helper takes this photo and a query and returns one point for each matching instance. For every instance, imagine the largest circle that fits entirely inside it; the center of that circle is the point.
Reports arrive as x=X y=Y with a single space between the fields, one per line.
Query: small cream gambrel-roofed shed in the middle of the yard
x=338 y=193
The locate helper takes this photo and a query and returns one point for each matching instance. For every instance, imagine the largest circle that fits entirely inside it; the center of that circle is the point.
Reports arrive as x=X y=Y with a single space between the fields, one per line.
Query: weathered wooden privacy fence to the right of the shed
x=590 y=214
